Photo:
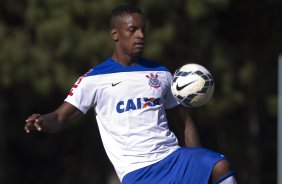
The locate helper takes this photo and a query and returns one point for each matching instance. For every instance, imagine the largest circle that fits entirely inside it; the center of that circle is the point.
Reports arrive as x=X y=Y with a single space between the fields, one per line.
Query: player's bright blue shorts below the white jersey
x=184 y=166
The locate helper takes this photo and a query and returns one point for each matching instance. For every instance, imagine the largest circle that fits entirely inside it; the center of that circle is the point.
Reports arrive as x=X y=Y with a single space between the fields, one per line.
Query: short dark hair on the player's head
x=121 y=10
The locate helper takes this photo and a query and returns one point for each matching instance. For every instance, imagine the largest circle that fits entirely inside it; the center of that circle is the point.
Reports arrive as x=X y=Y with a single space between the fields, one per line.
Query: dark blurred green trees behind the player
x=45 y=45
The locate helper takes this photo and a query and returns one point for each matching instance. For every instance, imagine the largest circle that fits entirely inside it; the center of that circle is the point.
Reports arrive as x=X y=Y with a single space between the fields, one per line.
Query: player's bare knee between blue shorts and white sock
x=220 y=169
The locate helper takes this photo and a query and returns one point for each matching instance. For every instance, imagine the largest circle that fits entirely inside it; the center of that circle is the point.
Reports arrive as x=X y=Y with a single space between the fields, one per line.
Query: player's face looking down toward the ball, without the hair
x=130 y=34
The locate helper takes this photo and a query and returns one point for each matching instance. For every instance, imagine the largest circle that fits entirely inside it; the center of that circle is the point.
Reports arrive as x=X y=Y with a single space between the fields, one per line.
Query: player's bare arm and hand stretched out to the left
x=53 y=121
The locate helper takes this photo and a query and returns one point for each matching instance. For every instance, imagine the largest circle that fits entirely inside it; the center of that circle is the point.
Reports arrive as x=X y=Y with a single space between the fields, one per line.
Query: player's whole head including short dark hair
x=128 y=29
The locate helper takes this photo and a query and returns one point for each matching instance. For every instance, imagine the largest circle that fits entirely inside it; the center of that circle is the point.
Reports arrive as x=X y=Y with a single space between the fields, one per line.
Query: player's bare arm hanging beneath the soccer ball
x=184 y=125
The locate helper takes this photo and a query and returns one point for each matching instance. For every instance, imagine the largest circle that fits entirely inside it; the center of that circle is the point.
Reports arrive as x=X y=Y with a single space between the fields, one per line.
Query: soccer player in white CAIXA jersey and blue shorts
x=131 y=97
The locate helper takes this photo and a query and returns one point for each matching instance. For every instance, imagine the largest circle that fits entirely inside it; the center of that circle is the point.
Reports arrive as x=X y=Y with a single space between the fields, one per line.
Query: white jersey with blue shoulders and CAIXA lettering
x=130 y=103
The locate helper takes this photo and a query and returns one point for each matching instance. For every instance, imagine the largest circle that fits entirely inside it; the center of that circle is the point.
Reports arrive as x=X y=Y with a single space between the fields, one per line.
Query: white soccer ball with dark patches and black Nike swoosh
x=193 y=85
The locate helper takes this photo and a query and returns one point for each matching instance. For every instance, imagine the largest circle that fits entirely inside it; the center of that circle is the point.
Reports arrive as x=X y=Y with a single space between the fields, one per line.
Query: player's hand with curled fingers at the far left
x=34 y=122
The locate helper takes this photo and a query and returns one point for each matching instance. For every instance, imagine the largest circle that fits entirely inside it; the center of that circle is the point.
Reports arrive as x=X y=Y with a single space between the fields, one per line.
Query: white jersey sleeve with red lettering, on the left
x=82 y=94
